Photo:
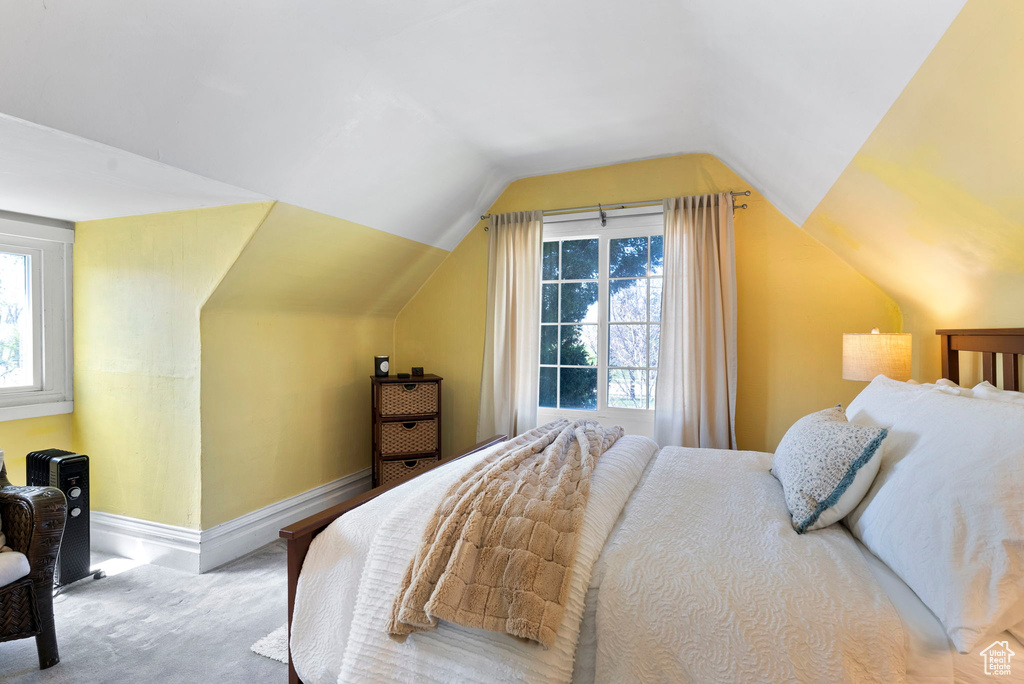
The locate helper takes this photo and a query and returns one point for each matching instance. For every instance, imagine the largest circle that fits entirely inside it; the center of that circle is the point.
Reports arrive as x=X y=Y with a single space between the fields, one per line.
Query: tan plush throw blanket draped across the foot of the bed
x=498 y=554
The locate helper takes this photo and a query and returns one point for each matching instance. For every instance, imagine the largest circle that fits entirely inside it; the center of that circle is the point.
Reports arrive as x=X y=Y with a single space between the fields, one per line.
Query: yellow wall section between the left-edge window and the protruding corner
x=140 y=285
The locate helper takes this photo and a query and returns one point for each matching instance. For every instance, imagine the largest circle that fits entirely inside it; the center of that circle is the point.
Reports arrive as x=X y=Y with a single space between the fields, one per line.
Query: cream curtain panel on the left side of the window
x=513 y=343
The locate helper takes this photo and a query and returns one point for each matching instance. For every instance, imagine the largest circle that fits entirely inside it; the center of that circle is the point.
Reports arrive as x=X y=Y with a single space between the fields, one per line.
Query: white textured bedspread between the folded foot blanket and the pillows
x=706 y=581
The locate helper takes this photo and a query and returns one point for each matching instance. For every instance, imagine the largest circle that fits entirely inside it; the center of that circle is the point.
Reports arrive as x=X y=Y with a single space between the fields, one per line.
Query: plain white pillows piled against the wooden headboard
x=946 y=511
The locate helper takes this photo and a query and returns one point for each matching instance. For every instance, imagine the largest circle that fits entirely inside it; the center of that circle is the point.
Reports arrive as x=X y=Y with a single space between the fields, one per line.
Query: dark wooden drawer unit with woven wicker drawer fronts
x=407 y=426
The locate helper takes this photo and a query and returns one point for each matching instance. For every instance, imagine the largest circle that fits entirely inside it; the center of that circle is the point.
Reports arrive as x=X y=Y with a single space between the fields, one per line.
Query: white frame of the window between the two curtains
x=631 y=223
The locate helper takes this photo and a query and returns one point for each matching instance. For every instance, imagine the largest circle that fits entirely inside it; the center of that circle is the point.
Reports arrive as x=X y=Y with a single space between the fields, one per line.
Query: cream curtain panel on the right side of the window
x=696 y=396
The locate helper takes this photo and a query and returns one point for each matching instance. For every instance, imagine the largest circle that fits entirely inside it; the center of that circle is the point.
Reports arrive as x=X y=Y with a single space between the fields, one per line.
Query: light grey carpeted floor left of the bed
x=152 y=625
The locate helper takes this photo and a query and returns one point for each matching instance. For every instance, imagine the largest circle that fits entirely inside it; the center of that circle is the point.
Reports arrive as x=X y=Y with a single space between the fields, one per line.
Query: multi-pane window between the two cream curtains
x=601 y=313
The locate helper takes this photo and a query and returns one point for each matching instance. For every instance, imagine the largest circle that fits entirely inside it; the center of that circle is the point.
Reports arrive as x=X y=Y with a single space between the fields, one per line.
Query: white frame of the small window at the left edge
x=50 y=243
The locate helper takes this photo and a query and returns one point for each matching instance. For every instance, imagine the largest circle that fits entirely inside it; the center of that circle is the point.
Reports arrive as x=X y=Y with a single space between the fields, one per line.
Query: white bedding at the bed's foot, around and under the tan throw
x=452 y=653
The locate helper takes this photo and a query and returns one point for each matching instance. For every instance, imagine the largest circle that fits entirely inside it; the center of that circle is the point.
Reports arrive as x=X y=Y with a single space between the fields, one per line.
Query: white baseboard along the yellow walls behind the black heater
x=198 y=551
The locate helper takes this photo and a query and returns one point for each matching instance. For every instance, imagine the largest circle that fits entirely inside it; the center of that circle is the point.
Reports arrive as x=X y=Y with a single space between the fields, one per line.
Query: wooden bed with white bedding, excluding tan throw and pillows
x=689 y=570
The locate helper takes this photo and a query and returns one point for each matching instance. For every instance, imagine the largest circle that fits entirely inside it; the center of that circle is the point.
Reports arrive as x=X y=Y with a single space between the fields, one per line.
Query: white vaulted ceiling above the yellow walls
x=412 y=116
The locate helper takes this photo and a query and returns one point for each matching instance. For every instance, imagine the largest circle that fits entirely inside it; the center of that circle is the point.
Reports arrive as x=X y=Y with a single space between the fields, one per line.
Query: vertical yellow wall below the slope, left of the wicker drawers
x=286 y=411
